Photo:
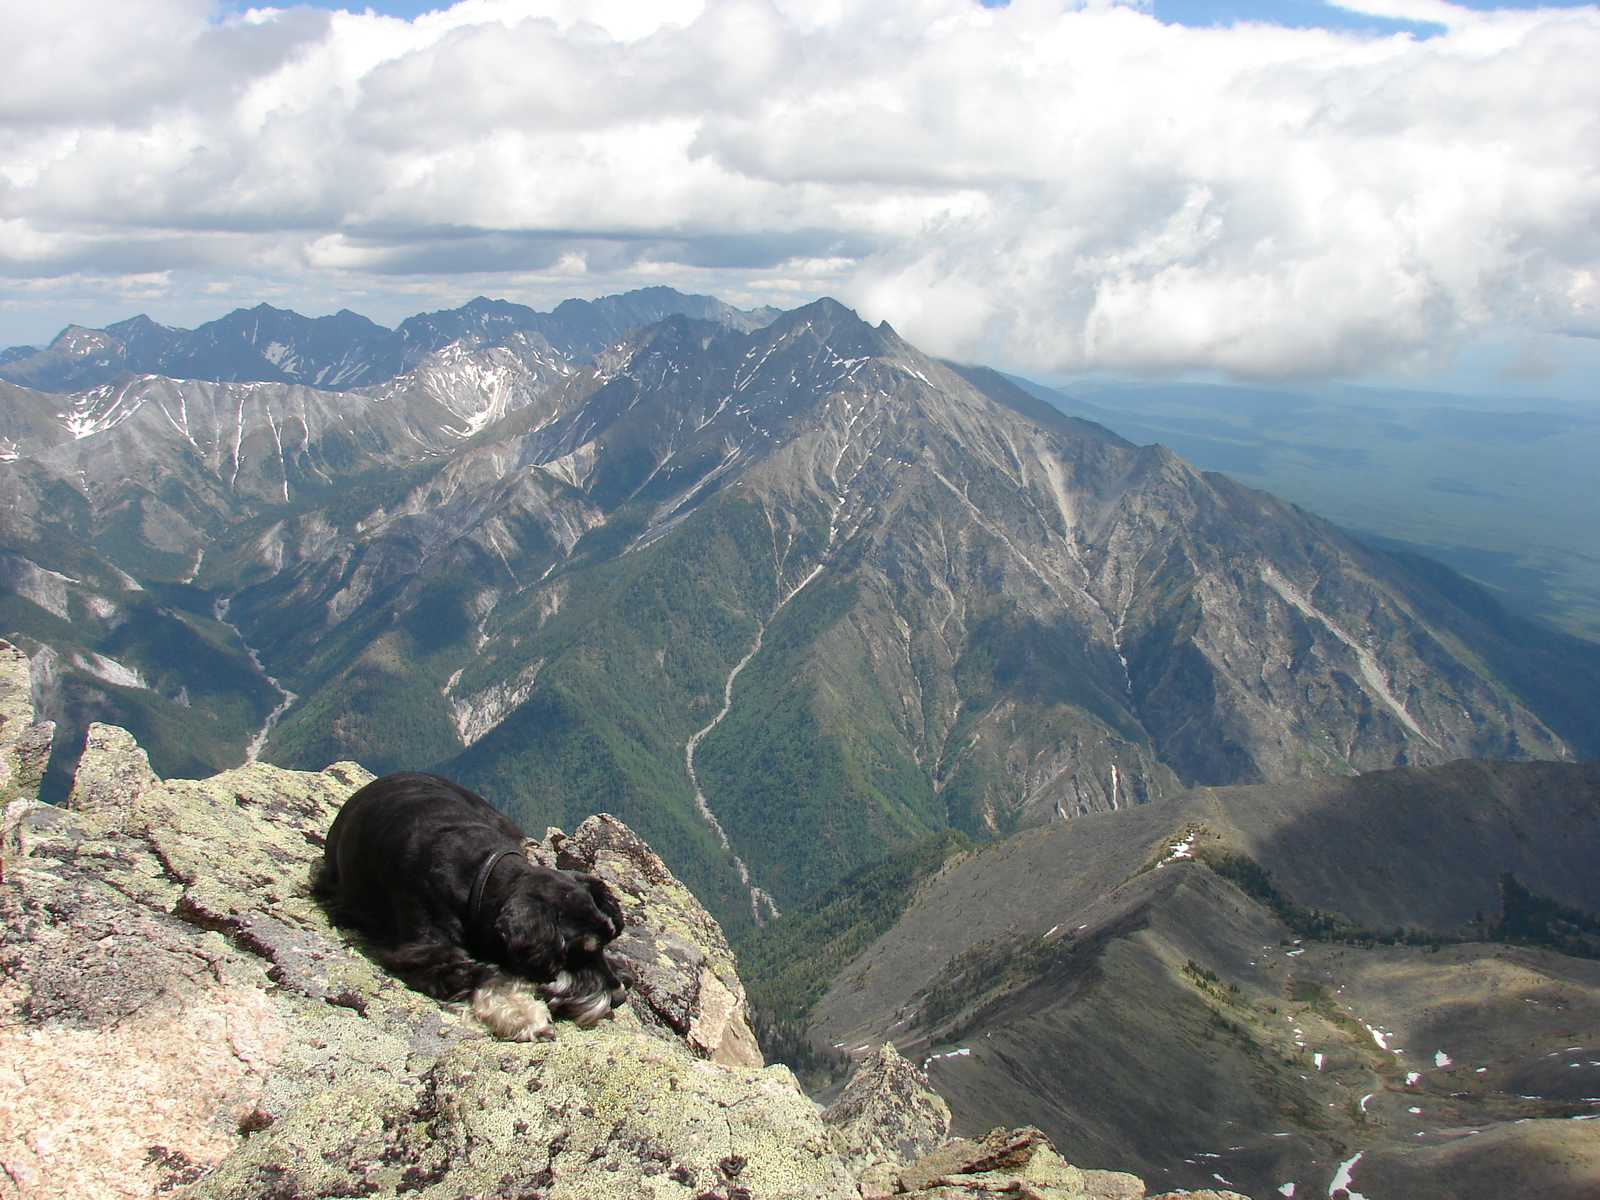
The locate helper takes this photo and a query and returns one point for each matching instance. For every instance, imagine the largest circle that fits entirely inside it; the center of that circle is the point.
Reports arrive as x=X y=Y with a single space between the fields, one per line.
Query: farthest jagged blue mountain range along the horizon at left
x=342 y=351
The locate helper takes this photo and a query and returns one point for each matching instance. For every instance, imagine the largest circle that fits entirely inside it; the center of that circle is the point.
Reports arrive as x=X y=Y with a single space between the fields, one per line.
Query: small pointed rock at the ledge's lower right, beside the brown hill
x=887 y=1116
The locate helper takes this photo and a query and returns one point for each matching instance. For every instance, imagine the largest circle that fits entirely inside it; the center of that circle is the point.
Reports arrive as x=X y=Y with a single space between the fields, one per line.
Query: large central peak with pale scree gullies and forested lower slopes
x=873 y=601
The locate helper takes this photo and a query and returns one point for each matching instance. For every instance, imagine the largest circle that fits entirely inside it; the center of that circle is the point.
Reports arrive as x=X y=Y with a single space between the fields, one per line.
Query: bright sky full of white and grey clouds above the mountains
x=1250 y=190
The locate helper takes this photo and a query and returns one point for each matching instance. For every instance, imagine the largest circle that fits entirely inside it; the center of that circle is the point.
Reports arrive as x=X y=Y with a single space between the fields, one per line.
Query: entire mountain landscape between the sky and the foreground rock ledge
x=1049 y=758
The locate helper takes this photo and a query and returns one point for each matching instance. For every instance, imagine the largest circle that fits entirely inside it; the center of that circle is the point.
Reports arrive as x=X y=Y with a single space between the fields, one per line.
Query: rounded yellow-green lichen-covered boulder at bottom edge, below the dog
x=590 y=1118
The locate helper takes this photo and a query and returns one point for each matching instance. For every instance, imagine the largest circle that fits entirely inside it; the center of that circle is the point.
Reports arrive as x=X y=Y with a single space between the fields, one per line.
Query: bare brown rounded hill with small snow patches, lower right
x=1215 y=980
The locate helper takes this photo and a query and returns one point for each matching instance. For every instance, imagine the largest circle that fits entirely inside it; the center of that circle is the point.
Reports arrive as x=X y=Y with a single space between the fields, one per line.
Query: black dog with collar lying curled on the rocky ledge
x=436 y=879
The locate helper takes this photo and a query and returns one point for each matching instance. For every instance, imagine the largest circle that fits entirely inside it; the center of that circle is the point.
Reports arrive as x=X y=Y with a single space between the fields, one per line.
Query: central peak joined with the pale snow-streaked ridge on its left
x=863 y=598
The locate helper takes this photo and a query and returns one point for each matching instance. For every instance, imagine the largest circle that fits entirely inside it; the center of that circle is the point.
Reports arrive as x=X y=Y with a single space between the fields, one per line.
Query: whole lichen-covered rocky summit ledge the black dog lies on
x=177 y=1015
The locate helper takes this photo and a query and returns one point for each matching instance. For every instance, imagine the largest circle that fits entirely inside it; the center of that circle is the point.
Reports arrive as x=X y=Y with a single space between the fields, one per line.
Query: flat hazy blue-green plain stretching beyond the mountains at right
x=1500 y=489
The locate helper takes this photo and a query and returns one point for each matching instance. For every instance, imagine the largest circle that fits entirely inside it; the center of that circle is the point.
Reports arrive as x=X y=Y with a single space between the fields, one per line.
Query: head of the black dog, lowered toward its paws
x=556 y=927
